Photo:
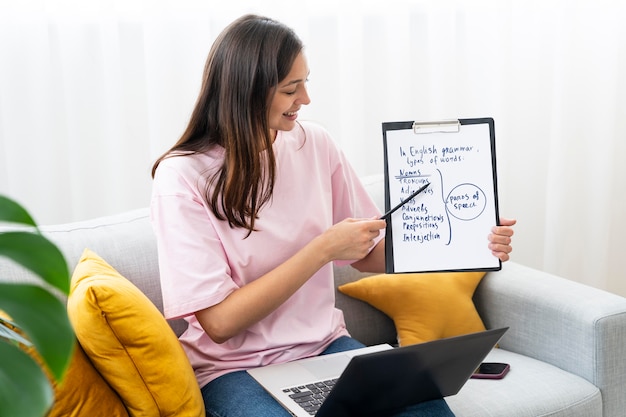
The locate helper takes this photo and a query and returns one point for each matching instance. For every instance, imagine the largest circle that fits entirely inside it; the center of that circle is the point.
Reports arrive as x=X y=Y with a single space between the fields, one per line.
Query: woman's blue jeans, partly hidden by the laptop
x=237 y=394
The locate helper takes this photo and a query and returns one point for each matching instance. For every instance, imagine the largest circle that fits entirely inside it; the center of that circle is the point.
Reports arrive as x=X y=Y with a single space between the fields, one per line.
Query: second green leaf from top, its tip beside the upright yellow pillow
x=38 y=254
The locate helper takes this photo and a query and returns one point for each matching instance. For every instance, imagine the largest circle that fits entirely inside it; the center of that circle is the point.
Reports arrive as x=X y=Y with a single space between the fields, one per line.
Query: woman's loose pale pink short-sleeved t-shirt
x=202 y=260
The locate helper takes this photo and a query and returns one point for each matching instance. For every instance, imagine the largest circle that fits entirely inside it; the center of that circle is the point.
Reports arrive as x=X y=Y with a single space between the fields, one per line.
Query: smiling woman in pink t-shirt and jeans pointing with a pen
x=250 y=207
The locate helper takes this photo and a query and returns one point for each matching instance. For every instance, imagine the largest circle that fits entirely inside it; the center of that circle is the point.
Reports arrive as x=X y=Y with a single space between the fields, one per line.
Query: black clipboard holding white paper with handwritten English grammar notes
x=444 y=228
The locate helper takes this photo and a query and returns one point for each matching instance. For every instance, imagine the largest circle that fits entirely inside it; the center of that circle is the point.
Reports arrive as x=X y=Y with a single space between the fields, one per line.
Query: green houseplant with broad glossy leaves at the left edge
x=38 y=318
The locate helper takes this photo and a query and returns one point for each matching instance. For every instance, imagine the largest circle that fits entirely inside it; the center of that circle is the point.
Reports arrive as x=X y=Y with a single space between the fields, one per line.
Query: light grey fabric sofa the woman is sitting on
x=566 y=342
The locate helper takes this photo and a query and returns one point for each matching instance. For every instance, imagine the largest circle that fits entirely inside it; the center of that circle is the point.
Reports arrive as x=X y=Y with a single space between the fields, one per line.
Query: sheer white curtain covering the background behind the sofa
x=91 y=92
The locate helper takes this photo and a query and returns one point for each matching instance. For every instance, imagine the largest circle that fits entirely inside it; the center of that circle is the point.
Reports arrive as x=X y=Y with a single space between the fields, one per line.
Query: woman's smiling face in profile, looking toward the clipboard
x=290 y=95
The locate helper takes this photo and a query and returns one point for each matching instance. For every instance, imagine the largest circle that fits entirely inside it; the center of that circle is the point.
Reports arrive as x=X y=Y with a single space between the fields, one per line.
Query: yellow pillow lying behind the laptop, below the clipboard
x=423 y=307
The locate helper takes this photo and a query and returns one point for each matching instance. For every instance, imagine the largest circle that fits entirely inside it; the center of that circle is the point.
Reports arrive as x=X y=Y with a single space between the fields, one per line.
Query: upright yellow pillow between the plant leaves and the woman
x=130 y=343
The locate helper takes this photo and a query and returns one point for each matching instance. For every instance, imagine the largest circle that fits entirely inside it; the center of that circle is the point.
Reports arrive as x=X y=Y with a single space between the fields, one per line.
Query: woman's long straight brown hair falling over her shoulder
x=245 y=64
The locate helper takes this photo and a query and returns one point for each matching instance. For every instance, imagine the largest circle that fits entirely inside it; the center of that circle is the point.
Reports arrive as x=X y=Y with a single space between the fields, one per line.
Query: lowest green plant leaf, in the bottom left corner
x=24 y=389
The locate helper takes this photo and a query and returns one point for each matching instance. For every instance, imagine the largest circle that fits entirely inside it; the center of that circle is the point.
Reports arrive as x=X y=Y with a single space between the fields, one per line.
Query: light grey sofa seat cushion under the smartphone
x=531 y=388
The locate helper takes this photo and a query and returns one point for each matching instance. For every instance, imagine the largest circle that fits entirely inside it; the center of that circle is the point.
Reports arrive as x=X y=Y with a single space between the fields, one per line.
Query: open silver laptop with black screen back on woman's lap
x=377 y=380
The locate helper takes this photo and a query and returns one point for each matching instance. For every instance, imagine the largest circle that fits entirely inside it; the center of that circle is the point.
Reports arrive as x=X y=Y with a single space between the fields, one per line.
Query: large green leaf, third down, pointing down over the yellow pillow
x=44 y=319
